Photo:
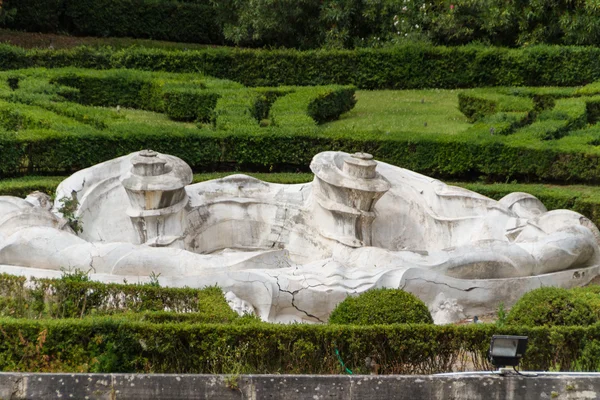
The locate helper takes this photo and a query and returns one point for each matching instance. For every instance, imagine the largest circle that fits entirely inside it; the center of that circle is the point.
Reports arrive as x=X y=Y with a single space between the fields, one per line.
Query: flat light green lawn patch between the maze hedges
x=395 y=111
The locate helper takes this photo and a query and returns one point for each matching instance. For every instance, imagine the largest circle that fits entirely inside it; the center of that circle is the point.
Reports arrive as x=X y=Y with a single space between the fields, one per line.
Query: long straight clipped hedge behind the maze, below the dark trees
x=406 y=67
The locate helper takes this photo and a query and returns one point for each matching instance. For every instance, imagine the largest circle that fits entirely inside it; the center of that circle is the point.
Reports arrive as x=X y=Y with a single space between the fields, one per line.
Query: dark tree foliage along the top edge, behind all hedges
x=316 y=23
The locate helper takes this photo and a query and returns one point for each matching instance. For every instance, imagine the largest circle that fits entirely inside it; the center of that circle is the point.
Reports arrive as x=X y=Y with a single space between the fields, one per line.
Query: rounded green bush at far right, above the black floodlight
x=551 y=306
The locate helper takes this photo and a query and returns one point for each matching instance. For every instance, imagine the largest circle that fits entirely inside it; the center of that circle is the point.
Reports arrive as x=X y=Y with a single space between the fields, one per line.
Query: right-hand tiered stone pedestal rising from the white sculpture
x=345 y=190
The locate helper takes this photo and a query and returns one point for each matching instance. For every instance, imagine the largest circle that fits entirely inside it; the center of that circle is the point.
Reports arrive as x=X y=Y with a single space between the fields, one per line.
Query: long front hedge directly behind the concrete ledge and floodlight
x=120 y=345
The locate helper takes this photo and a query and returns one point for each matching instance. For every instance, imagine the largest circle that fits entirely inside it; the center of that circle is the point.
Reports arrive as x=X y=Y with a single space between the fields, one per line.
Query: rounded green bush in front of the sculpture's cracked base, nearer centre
x=381 y=306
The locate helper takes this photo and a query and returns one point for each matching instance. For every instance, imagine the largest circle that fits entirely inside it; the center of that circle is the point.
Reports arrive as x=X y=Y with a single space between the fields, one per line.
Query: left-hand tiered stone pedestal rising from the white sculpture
x=155 y=186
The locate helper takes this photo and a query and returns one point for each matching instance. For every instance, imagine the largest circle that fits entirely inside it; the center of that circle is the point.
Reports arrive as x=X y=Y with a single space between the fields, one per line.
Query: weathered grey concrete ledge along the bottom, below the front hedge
x=296 y=387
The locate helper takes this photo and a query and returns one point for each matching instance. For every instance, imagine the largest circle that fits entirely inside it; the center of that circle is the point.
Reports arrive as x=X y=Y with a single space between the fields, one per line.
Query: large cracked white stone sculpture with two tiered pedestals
x=293 y=252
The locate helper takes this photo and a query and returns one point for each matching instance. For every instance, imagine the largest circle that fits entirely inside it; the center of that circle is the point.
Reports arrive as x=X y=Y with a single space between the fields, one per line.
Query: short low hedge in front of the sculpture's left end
x=75 y=296
